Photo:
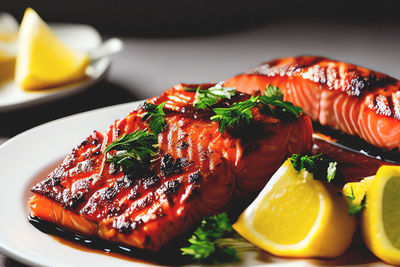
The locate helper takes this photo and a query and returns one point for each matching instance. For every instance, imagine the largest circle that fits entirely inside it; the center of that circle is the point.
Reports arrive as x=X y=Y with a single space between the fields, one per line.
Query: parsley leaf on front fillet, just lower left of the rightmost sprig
x=235 y=115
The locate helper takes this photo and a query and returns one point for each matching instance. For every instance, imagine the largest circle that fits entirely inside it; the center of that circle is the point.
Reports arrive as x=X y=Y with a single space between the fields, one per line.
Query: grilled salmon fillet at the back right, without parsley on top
x=345 y=97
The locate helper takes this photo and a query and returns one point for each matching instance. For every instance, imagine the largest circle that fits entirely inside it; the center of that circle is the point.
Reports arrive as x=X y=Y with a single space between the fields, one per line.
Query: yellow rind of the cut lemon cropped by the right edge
x=372 y=218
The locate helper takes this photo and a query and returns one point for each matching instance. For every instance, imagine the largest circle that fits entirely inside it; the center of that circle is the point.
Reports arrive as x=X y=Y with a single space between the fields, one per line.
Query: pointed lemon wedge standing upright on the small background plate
x=43 y=60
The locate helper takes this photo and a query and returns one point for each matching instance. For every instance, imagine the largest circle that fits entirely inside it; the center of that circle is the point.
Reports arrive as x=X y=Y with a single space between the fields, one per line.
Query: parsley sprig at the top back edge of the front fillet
x=208 y=97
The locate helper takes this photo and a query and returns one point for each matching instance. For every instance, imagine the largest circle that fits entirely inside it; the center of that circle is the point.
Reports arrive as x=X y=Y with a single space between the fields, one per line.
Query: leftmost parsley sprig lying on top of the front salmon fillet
x=133 y=150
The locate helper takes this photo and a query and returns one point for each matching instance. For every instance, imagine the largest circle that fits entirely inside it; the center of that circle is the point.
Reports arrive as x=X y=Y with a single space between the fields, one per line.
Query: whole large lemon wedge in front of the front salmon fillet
x=297 y=216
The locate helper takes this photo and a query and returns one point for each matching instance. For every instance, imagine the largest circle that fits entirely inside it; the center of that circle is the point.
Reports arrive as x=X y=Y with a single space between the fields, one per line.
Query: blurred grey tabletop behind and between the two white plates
x=146 y=67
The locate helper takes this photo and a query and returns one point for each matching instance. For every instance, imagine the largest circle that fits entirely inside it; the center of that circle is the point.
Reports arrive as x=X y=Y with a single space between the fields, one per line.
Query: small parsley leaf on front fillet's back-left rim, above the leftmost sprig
x=155 y=116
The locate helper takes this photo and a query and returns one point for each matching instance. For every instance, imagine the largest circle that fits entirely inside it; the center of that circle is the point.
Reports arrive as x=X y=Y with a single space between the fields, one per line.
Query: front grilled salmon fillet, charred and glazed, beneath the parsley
x=197 y=172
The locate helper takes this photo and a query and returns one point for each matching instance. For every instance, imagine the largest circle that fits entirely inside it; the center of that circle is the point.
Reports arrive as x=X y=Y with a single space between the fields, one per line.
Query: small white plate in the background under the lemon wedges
x=79 y=36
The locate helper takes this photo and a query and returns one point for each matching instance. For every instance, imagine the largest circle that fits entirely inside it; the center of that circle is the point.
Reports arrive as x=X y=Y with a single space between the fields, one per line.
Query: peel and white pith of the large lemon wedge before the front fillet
x=333 y=223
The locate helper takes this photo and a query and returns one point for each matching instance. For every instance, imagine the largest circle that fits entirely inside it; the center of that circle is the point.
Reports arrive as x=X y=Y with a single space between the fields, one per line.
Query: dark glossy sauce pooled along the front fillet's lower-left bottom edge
x=170 y=255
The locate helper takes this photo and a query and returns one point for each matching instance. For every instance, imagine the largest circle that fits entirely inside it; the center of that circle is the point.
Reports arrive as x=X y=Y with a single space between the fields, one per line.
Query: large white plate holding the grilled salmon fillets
x=28 y=156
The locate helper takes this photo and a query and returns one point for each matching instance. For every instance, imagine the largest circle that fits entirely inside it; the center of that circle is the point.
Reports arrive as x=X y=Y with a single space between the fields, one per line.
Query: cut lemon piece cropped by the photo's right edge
x=380 y=219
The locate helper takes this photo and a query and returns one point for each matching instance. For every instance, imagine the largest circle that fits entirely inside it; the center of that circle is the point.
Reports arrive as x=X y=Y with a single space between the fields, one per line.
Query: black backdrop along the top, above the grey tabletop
x=176 y=18
